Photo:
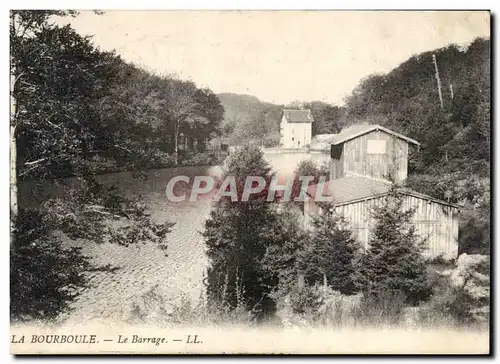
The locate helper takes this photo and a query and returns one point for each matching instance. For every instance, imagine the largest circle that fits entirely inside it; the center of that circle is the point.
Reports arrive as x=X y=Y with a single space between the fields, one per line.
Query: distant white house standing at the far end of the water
x=296 y=129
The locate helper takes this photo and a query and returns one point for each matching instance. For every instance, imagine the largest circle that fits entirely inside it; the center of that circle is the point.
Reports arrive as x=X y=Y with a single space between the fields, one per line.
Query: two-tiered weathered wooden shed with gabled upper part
x=365 y=160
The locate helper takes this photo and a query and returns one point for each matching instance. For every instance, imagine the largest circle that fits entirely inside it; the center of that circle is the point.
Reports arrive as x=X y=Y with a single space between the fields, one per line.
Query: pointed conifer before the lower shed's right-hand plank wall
x=393 y=263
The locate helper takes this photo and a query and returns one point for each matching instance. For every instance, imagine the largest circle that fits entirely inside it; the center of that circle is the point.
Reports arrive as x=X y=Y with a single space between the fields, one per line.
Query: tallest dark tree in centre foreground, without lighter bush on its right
x=237 y=234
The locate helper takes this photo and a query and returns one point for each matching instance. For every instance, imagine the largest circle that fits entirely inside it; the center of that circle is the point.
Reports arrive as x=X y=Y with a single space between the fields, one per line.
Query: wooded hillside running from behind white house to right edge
x=453 y=136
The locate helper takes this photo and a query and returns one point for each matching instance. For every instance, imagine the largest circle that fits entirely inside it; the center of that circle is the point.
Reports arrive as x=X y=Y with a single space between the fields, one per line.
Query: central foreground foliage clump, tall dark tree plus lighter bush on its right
x=251 y=244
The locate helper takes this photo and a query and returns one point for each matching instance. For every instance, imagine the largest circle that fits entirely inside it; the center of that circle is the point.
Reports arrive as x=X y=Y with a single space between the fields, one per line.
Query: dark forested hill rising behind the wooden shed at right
x=454 y=137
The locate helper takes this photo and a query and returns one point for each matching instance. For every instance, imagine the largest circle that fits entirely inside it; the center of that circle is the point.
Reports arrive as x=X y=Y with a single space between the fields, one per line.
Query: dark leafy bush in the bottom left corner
x=45 y=277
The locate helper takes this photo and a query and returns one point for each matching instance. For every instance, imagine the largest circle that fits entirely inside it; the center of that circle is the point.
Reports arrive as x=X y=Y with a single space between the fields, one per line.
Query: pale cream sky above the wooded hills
x=277 y=56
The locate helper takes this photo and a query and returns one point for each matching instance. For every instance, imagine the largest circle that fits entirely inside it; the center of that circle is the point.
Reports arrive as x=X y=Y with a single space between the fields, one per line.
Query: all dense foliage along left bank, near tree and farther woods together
x=77 y=111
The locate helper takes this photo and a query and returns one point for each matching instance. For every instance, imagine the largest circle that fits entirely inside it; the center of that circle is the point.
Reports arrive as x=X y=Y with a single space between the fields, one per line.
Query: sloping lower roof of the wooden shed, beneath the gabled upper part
x=353 y=188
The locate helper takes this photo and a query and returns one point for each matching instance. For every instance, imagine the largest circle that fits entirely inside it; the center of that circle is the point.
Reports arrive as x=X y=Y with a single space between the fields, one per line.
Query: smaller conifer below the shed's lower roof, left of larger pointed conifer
x=330 y=253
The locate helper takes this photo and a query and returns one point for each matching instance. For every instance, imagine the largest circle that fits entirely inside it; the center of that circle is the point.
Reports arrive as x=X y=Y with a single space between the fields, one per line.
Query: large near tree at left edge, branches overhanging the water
x=58 y=129
